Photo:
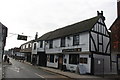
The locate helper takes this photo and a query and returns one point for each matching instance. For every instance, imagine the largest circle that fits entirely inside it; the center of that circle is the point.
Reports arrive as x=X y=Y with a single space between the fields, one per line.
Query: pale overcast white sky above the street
x=30 y=16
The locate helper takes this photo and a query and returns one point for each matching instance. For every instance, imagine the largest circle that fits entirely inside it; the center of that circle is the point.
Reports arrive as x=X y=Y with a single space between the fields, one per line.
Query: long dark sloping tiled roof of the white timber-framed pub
x=79 y=27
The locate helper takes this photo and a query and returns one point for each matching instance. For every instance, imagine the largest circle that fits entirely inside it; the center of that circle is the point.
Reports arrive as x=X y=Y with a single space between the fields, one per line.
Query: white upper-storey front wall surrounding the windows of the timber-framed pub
x=84 y=44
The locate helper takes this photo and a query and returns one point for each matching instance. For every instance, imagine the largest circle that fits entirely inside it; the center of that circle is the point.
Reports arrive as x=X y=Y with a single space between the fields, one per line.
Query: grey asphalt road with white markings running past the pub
x=23 y=70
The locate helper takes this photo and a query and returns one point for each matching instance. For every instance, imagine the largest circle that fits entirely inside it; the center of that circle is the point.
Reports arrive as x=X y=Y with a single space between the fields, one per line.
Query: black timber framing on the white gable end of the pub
x=91 y=39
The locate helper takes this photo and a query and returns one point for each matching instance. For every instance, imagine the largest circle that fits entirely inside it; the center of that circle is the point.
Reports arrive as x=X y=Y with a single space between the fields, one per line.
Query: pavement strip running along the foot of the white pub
x=74 y=75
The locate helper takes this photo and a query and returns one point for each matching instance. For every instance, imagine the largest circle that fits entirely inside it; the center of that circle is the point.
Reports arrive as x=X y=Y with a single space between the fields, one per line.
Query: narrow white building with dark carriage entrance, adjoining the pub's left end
x=38 y=50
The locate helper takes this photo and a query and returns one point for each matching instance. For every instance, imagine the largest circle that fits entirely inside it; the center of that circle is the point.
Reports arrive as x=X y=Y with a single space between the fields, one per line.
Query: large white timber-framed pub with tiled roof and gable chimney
x=86 y=43
